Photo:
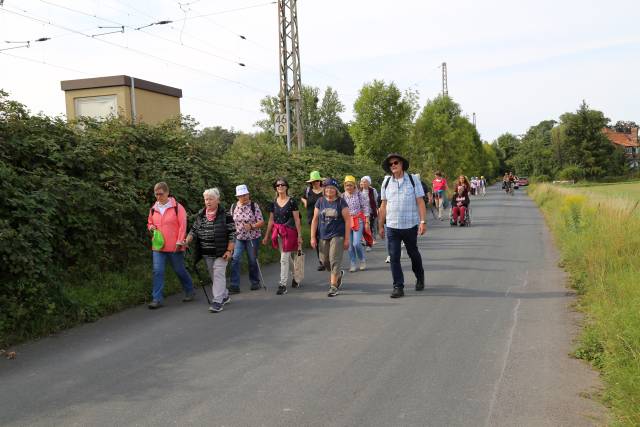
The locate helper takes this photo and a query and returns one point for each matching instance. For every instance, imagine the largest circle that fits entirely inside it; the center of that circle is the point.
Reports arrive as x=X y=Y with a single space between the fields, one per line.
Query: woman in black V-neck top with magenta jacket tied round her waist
x=284 y=231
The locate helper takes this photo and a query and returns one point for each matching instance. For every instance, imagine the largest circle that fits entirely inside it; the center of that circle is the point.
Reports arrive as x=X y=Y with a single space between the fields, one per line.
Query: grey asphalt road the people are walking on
x=486 y=343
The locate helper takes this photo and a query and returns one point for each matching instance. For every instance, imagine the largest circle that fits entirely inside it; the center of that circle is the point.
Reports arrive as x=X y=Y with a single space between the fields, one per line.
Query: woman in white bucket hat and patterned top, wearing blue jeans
x=248 y=219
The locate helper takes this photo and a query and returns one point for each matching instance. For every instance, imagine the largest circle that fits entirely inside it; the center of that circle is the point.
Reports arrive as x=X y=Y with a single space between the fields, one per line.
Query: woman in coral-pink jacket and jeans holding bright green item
x=170 y=218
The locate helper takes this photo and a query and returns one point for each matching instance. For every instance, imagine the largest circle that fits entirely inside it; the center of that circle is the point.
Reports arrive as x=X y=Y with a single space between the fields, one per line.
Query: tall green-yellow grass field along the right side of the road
x=597 y=228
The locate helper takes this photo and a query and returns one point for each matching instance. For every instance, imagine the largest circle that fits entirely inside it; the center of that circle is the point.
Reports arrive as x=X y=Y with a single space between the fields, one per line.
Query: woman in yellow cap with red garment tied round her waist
x=359 y=210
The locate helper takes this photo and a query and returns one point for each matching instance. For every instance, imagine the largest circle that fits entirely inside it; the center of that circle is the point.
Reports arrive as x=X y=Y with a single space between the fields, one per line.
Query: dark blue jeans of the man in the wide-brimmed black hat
x=395 y=236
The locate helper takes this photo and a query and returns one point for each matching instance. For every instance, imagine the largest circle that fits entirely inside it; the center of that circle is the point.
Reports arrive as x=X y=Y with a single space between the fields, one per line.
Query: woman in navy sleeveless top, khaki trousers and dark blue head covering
x=330 y=230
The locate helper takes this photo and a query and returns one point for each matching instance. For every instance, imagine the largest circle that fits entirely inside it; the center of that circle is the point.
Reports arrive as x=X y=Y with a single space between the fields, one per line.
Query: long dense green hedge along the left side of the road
x=75 y=200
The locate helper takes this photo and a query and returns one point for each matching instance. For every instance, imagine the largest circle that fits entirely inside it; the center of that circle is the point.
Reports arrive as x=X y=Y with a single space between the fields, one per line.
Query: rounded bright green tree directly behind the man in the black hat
x=383 y=120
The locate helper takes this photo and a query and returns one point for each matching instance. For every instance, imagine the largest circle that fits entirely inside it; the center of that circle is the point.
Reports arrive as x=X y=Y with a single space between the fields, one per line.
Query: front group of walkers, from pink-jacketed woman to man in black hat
x=338 y=221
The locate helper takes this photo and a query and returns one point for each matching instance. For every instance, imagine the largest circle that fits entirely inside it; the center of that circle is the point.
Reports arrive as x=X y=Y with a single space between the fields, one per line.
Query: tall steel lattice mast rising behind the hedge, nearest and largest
x=290 y=81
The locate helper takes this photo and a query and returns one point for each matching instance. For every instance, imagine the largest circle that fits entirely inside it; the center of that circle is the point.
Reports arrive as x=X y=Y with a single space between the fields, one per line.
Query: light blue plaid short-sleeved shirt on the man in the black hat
x=402 y=208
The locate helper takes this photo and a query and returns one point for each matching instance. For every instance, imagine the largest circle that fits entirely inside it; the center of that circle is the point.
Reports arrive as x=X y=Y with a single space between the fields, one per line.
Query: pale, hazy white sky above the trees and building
x=513 y=63
